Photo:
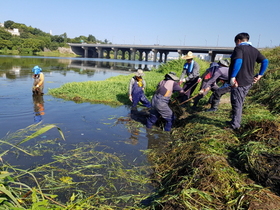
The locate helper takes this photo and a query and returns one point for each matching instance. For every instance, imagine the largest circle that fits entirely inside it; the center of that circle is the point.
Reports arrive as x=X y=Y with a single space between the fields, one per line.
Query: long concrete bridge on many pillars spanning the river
x=103 y=51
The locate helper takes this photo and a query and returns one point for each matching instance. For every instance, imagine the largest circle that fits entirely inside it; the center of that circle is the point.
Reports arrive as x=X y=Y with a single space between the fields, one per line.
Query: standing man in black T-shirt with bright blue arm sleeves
x=241 y=74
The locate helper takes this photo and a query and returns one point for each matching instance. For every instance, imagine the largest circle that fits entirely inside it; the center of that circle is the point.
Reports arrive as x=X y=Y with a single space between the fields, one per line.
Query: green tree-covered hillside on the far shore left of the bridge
x=32 y=40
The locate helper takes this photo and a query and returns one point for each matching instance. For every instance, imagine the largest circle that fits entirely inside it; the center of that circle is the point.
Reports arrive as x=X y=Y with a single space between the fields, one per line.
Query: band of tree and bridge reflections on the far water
x=13 y=67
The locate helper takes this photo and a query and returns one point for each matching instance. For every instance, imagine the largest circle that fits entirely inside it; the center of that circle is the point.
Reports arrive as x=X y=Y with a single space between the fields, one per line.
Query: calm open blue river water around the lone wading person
x=80 y=122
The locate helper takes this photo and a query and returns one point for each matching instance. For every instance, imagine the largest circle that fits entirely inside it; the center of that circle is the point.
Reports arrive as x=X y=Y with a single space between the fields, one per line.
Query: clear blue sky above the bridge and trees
x=163 y=22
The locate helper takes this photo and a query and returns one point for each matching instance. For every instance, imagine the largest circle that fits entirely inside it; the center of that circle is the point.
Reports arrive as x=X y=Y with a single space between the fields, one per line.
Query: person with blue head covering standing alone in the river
x=39 y=79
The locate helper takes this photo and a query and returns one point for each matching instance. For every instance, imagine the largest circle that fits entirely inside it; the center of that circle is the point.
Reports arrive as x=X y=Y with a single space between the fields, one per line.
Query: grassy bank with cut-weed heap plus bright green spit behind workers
x=206 y=166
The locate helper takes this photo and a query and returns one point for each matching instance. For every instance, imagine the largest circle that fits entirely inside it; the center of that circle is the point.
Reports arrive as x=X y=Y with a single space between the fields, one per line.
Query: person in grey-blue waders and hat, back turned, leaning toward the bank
x=161 y=99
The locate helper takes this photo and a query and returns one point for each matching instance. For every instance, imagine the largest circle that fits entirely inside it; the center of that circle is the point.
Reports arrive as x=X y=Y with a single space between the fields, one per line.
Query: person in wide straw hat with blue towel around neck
x=191 y=70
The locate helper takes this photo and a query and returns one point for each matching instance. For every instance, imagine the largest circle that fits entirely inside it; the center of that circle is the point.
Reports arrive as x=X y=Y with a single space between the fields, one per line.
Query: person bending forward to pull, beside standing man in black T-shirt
x=218 y=72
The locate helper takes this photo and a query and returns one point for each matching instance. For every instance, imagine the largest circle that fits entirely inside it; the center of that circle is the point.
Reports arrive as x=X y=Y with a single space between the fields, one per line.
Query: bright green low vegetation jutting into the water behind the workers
x=114 y=91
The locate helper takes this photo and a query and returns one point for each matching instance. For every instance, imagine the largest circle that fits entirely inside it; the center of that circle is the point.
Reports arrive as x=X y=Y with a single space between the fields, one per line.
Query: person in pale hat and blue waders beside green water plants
x=136 y=90
